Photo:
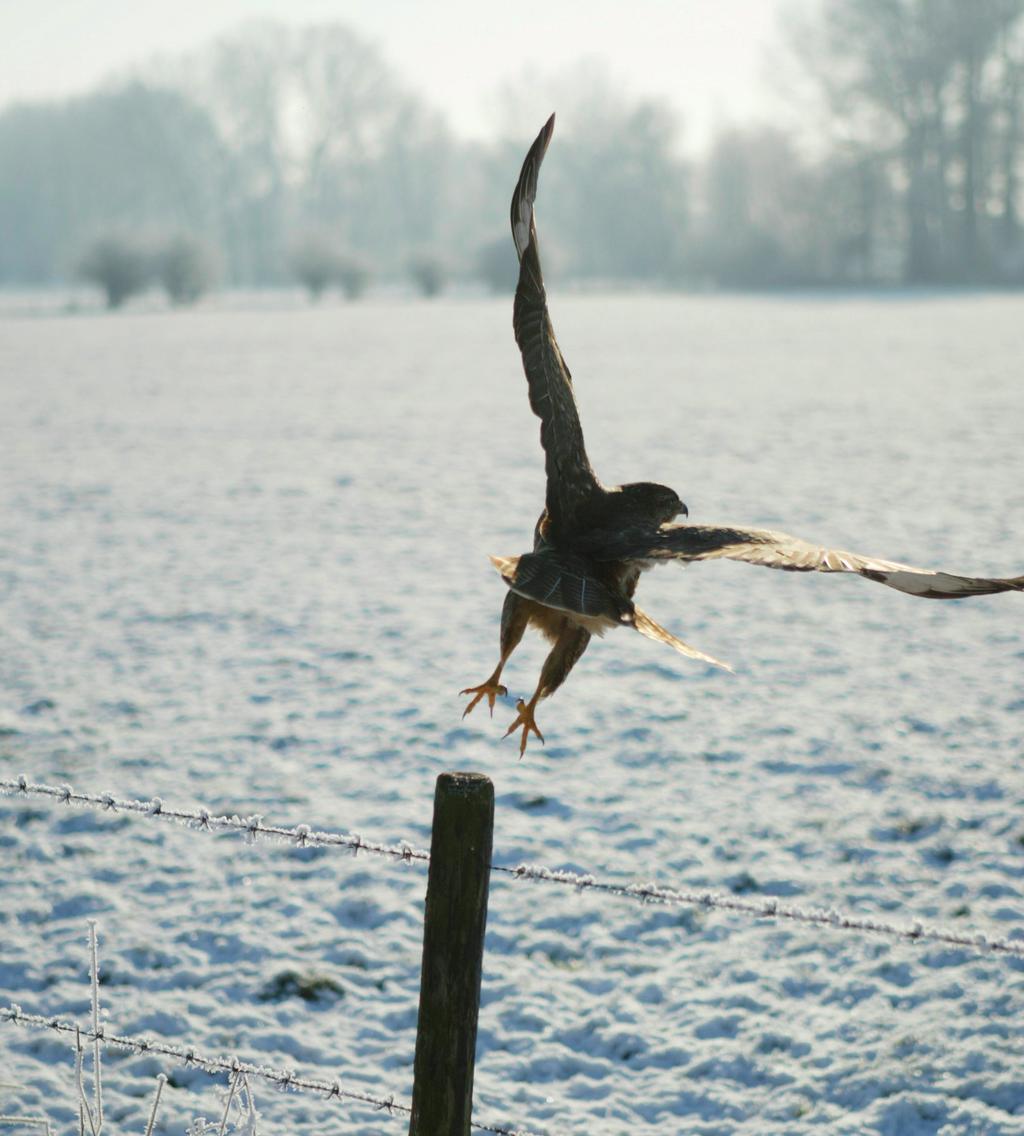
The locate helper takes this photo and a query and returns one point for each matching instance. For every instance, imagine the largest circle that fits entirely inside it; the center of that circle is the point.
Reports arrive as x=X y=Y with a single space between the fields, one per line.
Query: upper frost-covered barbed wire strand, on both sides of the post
x=303 y=836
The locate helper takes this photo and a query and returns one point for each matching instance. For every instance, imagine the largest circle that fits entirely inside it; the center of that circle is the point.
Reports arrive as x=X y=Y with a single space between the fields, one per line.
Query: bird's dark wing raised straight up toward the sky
x=571 y=480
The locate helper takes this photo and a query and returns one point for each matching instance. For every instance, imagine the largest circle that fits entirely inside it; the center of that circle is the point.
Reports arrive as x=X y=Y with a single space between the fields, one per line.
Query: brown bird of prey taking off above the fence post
x=593 y=541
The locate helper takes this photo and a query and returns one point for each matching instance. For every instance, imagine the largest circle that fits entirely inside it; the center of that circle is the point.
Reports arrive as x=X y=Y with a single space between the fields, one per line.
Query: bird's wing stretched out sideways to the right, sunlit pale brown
x=790 y=554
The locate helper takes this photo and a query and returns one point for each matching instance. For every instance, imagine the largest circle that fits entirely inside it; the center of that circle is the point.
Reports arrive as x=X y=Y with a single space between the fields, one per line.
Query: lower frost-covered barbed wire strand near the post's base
x=284 y=1079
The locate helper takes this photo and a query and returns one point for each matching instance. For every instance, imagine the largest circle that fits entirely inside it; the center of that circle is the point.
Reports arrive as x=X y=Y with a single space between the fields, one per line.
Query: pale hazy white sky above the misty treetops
x=705 y=56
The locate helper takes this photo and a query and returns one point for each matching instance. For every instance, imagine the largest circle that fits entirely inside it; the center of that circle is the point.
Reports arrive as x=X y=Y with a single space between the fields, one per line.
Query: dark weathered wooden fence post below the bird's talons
x=453 y=955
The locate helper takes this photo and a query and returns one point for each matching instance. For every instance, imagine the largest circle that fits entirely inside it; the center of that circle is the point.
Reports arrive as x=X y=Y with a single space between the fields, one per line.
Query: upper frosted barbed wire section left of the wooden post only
x=203 y=820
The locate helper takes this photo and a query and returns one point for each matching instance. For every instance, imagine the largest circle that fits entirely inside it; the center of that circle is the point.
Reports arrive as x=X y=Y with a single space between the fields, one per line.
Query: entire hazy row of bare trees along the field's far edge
x=280 y=147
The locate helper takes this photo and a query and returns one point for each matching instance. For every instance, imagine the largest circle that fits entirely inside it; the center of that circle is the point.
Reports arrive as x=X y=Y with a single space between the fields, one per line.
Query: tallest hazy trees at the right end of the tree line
x=925 y=102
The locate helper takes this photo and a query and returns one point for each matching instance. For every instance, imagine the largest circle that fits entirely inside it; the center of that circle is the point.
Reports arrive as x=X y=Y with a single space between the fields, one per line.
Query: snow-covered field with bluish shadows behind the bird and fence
x=243 y=565
